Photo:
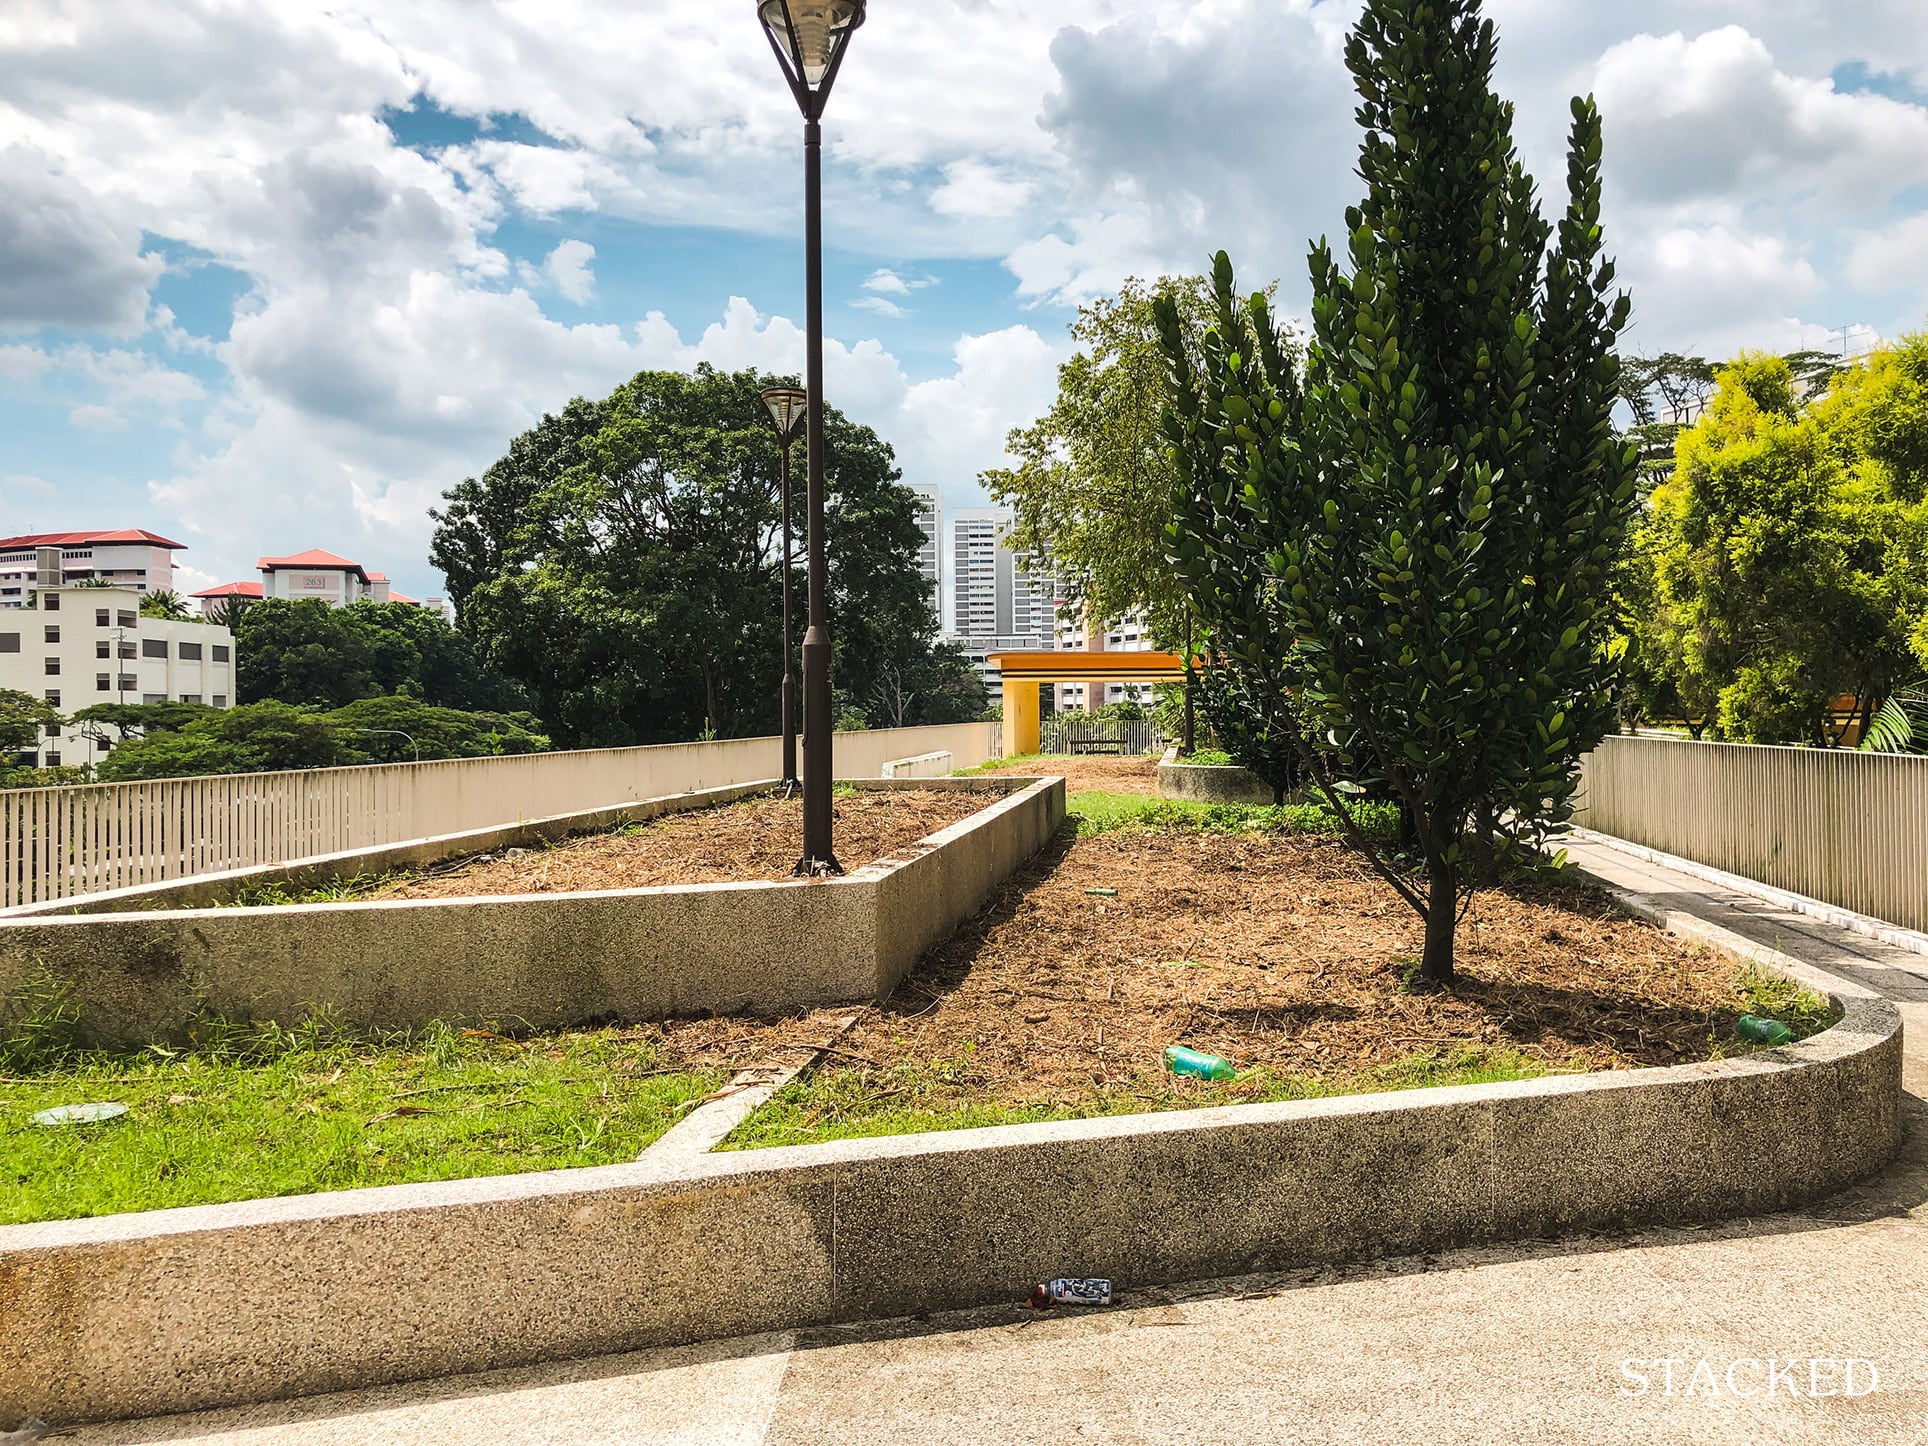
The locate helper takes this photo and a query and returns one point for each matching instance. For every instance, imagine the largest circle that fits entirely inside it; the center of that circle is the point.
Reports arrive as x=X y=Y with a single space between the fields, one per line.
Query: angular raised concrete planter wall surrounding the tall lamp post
x=545 y=959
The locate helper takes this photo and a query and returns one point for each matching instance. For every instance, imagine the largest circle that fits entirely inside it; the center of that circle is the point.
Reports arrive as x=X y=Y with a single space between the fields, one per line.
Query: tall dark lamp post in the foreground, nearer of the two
x=811 y=40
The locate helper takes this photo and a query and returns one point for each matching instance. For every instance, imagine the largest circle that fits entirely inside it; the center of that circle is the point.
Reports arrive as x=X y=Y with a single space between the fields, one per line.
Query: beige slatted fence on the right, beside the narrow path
x=1846 y=828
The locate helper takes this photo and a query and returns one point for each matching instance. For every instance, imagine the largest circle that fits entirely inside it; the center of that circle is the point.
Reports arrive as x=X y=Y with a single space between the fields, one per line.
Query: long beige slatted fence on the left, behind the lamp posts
x=57 y=843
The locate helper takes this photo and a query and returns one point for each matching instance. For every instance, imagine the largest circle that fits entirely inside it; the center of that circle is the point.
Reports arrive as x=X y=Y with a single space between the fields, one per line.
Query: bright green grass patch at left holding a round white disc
x=252 y=1113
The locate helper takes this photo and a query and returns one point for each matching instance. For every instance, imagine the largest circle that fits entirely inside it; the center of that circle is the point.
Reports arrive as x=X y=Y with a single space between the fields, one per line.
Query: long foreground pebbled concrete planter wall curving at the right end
x=180 y=1310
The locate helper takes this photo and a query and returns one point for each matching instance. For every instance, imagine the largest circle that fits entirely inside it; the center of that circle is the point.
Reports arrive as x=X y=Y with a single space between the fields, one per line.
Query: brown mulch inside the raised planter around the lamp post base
x=747 y=842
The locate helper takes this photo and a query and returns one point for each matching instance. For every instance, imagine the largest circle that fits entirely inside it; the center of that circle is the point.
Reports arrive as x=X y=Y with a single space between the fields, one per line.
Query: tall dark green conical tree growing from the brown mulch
x=1412 y=539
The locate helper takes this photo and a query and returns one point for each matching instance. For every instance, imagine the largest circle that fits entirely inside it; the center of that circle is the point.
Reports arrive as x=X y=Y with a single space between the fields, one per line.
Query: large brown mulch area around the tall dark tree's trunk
x=1273 y=951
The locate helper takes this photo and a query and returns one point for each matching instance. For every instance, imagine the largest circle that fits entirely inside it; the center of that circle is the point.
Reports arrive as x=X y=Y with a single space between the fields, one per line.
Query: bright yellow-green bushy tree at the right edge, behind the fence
x=1784 y=564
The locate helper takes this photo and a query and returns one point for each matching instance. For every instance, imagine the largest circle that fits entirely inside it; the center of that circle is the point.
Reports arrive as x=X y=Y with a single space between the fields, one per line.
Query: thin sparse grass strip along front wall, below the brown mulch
x=923 y=1096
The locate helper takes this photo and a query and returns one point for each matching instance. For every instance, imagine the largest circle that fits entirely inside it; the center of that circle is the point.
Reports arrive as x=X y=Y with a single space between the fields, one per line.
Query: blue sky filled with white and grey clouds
x=279 y=273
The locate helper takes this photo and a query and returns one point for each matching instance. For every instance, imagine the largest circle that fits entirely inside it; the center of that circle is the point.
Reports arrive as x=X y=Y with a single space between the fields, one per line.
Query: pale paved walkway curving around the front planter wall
x=1511 y=1345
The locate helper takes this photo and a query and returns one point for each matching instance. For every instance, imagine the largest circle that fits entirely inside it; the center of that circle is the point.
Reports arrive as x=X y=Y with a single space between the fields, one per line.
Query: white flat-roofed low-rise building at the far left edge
x=80 y=647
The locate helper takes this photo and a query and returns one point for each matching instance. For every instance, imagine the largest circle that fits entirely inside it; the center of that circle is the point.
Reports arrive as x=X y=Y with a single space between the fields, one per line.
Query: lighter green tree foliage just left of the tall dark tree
x=1094 y=479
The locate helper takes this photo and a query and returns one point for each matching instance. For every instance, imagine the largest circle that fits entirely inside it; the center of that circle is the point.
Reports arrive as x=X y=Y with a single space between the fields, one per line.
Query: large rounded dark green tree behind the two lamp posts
x=624 y=564
